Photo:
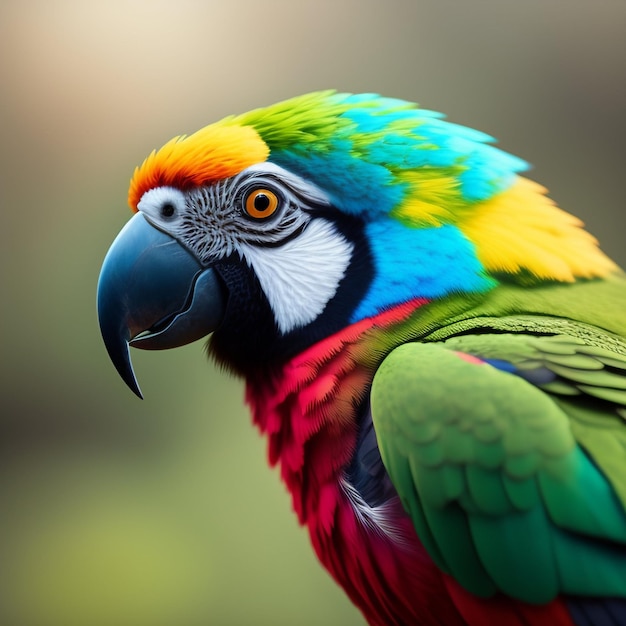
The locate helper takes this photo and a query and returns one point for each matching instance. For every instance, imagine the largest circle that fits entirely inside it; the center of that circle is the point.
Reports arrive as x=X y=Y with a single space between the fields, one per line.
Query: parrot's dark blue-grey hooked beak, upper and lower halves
x=153 y=294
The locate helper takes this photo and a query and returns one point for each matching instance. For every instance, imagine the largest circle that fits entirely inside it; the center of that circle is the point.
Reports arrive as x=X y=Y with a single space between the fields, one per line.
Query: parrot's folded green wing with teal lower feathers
x=509 y=453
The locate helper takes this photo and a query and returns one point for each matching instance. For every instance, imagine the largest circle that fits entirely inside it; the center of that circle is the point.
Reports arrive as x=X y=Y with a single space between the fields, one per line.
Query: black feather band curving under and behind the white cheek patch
x=249 y=343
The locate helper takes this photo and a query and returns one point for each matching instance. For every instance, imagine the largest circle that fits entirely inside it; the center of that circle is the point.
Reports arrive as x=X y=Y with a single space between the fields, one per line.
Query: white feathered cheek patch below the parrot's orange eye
x=301 y=276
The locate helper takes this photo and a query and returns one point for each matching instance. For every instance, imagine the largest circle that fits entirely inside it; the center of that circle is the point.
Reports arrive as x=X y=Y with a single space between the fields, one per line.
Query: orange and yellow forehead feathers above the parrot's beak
x=212 y=153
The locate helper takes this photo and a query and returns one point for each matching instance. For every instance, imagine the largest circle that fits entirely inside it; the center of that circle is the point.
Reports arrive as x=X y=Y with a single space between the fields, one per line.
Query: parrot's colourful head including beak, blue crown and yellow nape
x=273 y=229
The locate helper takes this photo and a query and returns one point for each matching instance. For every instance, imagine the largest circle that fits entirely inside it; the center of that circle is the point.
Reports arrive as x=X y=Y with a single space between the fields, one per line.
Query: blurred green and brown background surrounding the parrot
x=116 y=512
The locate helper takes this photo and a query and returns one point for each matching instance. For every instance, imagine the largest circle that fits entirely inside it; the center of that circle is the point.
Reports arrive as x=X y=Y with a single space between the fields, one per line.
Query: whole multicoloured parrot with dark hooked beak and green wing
x=434 y=350
